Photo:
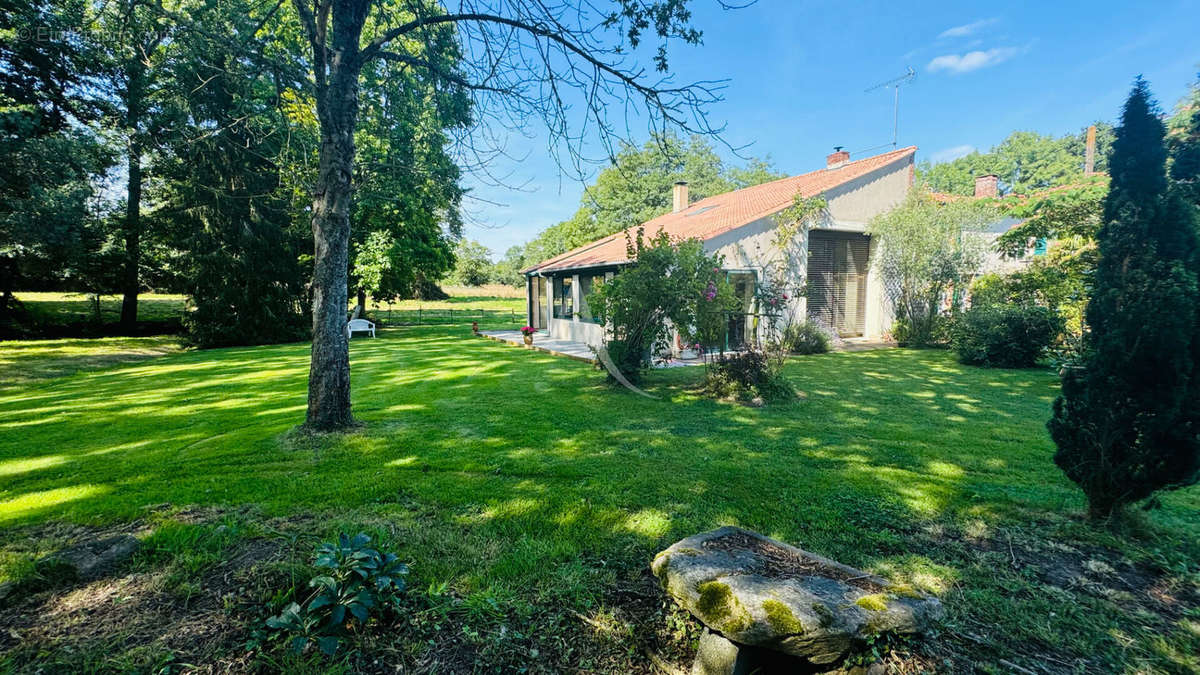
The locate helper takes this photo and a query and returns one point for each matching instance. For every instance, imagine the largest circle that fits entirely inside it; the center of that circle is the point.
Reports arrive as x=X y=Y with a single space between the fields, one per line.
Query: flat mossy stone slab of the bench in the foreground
x=761 y=593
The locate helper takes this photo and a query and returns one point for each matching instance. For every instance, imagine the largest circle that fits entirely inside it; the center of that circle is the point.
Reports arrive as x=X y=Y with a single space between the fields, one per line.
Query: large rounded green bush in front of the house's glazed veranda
x=670 y=285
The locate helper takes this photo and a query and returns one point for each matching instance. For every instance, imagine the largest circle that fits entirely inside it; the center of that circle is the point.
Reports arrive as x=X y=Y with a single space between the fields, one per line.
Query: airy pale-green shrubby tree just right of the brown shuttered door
x=928 y=252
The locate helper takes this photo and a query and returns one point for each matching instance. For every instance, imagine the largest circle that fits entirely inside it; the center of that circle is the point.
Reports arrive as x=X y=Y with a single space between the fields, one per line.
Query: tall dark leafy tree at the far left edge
x=50 y=225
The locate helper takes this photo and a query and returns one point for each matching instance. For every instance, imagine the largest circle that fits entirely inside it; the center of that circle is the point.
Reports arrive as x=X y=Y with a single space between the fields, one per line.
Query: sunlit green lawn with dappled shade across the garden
x=531 y=492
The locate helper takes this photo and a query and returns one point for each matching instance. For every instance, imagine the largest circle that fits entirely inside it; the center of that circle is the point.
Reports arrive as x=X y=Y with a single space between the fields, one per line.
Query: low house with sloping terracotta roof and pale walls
x=832 y=260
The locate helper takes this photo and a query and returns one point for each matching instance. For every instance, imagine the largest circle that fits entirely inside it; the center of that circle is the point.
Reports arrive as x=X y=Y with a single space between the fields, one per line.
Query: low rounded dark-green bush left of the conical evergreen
x=1005 y=337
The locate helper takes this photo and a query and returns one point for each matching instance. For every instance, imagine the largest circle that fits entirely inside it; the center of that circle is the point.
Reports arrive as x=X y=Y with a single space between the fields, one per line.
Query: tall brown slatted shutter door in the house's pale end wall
x=838 y=265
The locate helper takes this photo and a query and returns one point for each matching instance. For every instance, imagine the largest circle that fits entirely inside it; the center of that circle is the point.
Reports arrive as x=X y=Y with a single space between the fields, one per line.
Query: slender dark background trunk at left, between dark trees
x=133 y=230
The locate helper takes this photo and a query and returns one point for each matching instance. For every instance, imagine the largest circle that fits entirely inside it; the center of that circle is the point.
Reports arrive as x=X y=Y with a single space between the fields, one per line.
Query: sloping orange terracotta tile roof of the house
x=719 y=214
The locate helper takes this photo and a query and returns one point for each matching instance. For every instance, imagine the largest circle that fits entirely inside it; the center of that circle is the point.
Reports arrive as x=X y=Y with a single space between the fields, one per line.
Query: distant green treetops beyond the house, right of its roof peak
x=1025 y=163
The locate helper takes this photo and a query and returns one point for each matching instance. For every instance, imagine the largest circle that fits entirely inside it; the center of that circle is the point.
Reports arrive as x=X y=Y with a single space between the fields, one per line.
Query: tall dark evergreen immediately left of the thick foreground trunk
x=226 y=199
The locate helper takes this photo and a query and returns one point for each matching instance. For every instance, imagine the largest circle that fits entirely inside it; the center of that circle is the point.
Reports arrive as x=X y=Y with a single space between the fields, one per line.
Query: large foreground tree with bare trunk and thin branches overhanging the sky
x=524 y=59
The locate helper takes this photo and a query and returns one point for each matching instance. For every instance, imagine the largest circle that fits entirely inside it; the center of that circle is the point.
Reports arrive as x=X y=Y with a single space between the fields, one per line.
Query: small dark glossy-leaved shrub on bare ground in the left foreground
x=353 y=581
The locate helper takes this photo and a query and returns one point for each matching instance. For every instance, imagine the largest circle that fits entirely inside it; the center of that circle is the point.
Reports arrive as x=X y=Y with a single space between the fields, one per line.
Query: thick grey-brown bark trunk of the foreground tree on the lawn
x=338 y=107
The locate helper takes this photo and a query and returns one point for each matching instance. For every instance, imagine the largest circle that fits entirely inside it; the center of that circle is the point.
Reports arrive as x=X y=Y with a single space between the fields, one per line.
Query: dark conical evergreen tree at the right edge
x=1126 y=423
